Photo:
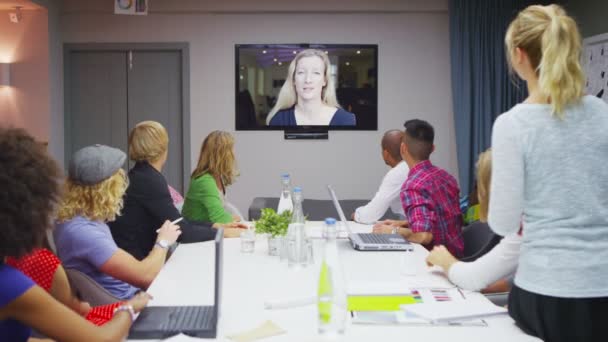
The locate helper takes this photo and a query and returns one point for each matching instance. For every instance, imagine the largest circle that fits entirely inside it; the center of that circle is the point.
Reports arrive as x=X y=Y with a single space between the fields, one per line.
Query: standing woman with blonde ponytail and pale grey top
x=549 y=170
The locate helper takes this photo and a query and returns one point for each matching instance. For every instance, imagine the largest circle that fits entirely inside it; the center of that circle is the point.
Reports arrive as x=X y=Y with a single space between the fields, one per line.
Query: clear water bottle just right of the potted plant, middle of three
x=297 y=246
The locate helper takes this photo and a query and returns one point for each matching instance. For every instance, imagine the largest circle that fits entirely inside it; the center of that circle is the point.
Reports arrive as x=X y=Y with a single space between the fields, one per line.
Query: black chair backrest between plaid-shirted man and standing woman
x=478 y=240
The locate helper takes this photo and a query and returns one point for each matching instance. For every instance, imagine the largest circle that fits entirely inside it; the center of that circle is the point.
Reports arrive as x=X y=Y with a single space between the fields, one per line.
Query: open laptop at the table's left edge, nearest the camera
x=159 y=322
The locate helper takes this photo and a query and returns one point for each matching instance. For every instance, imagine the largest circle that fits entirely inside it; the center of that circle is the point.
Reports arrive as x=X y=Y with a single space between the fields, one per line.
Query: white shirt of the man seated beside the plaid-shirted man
x=387 y=196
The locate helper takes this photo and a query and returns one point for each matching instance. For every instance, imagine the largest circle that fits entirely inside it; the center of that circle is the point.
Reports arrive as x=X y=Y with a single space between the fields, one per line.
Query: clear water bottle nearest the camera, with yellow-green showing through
x=331 y=295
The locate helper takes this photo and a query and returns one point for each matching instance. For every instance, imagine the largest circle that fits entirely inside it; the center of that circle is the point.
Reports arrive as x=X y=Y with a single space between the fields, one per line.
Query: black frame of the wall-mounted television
x=300 y=131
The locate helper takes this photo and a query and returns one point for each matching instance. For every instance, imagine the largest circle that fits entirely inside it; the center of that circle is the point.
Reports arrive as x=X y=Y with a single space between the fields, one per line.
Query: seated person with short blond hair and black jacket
x=148 y=202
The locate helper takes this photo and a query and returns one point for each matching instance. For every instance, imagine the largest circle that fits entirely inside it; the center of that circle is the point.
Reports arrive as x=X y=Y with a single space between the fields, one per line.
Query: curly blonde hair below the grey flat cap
x=99 y=202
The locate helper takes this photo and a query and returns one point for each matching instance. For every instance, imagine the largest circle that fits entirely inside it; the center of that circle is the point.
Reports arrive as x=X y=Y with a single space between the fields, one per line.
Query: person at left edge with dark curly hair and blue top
x=29 y=178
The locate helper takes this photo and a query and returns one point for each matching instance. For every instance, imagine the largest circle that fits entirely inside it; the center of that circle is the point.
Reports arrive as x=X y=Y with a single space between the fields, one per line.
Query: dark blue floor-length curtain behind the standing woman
x=482 y=87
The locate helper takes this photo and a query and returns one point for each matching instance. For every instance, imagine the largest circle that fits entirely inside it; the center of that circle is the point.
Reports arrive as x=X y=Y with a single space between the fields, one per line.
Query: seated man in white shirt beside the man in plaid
x=388 y=193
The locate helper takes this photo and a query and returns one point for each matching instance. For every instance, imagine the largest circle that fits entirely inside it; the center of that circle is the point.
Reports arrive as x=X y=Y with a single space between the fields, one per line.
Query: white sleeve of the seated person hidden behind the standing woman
x=499 y=263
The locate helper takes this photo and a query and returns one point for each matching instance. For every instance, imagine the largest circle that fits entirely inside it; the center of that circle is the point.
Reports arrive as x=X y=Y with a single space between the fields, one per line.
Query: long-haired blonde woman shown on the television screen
x=308 y=96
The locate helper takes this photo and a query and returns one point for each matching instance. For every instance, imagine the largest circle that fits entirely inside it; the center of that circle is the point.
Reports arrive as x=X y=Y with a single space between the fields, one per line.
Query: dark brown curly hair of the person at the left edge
x=30 y=182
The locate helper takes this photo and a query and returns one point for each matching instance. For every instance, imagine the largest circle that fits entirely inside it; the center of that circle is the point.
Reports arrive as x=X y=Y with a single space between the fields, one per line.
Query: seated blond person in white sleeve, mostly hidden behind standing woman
x=499 y=263
